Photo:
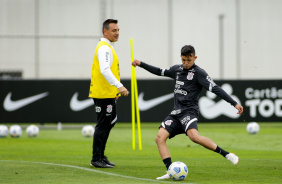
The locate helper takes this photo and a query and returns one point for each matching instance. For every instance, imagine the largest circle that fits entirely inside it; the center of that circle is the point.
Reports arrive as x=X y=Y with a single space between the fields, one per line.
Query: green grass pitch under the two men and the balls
x=64 y=156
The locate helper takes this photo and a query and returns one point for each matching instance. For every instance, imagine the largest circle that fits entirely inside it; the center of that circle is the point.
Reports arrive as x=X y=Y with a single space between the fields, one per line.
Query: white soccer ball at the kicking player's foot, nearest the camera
x=177 y=171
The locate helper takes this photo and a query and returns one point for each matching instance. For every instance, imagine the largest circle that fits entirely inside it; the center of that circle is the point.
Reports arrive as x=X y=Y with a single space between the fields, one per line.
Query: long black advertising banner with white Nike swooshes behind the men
x=43 y=101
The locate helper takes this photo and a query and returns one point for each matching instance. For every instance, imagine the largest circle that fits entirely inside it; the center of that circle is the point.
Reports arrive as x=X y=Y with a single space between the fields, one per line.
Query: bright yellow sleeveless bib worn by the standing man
x=100 y=87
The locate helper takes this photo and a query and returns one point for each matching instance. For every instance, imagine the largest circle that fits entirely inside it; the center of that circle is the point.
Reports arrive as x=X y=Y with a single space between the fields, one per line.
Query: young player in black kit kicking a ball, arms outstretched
x=189 y=81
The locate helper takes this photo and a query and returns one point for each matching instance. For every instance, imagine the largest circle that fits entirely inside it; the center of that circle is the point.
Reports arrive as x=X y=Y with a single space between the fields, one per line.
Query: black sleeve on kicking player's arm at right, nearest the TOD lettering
x=206 y=81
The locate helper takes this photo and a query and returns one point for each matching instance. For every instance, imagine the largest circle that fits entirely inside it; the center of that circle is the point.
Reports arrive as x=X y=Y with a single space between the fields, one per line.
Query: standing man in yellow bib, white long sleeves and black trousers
x=104 y=87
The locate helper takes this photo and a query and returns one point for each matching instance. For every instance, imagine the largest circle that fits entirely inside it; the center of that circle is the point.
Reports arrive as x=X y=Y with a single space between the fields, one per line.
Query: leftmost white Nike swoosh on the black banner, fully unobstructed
x=10 y=105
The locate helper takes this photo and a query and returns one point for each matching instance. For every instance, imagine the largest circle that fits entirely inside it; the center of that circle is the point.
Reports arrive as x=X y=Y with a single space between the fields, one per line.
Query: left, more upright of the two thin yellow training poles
x=132 y=98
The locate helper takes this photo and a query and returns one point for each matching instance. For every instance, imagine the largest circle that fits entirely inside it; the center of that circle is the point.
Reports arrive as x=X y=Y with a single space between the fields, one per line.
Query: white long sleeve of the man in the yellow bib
x=105 y=57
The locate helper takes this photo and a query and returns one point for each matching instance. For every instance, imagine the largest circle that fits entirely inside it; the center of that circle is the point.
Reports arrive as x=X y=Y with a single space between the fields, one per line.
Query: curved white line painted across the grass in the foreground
x=89 y=169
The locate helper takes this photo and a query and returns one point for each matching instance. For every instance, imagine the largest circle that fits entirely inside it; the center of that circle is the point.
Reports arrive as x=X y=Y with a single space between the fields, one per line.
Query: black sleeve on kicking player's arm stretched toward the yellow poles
x=158 y=71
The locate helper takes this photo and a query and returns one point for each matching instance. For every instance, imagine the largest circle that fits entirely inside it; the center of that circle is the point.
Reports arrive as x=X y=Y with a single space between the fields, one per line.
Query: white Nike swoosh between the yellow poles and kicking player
x=145 y=105
